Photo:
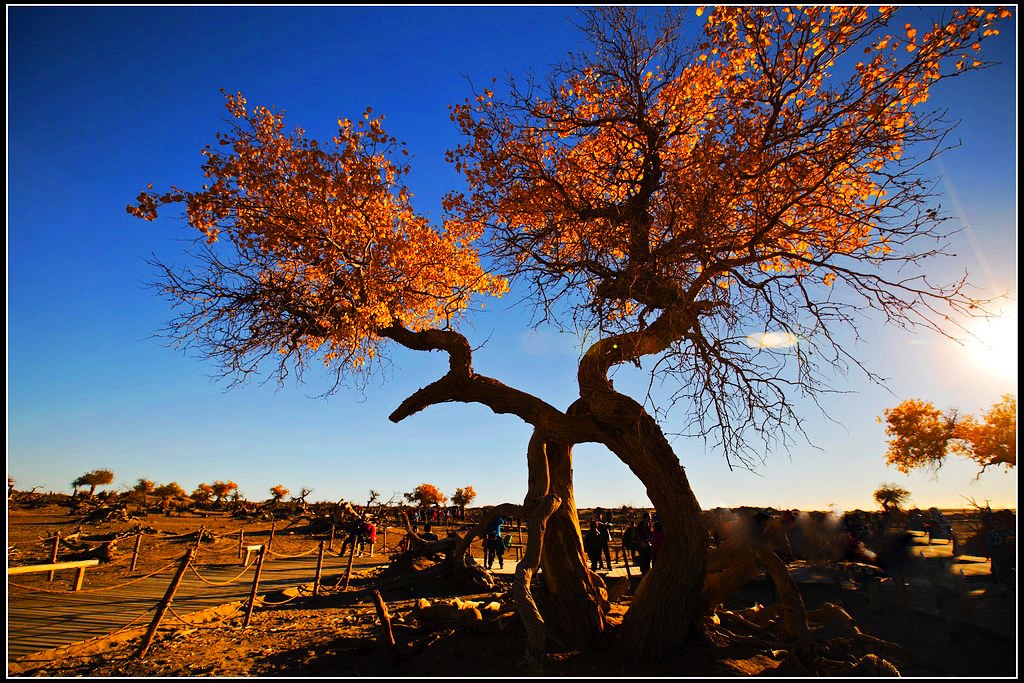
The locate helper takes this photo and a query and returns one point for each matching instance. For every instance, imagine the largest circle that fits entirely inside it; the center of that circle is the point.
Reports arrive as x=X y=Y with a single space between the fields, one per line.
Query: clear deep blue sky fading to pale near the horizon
x=104 y=101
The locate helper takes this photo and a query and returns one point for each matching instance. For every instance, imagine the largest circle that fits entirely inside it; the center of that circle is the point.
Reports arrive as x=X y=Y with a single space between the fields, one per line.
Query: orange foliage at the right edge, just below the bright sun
x=922 y=437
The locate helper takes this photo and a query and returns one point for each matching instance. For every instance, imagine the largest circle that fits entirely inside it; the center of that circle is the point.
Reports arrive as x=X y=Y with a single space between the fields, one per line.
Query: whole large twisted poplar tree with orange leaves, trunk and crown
x=669 y=191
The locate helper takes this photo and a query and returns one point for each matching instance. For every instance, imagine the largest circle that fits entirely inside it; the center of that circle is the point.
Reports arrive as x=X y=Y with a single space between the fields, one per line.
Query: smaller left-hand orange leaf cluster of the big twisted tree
x=332 y=226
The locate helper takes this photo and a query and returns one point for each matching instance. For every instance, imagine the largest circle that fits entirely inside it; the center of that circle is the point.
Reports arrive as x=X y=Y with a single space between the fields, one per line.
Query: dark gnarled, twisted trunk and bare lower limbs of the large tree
x=669 y=601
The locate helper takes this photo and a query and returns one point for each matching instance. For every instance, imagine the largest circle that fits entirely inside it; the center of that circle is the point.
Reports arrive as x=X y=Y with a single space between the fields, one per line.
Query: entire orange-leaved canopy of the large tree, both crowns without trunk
x=730 y=179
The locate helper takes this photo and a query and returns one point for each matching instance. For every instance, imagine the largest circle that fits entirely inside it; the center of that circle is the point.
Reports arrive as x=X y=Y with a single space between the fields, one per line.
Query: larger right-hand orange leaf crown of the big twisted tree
x=750 y=155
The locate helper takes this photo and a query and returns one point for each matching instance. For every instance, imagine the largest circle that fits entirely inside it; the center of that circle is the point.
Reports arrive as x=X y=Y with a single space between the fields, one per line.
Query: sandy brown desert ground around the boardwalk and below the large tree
x=338 y=634
